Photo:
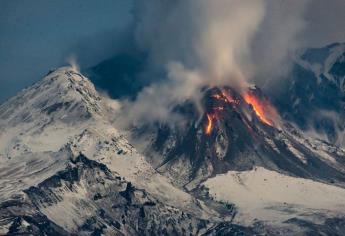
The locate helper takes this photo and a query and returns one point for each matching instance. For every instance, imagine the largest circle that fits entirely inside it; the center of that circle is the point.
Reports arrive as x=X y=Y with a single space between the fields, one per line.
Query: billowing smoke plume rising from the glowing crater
x=199 y=43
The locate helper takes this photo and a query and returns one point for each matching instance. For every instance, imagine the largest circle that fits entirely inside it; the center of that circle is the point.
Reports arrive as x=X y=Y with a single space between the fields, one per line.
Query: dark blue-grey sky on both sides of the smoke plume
x=38 y=35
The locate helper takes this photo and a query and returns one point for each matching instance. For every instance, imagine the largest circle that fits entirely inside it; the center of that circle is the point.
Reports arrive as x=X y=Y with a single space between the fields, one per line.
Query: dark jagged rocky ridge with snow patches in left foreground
x=104 y=202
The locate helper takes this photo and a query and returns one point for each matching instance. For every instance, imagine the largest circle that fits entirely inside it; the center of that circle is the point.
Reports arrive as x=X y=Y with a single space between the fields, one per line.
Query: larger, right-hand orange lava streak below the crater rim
x=260 y=108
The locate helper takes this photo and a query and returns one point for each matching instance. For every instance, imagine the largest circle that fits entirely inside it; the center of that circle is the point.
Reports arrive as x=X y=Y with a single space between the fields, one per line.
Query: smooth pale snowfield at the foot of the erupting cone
x=273 y=197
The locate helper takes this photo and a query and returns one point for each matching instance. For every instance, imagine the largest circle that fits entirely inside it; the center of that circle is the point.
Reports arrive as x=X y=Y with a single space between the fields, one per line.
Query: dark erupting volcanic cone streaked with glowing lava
x=237 y=131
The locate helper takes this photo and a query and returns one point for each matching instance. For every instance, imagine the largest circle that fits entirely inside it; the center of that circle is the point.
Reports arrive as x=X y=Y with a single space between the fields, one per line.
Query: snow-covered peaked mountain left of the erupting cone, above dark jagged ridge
x=62 y=111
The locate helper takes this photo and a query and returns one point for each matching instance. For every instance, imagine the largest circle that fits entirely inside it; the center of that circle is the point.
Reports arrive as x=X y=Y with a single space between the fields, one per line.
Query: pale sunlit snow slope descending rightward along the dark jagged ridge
x=121 y=157
